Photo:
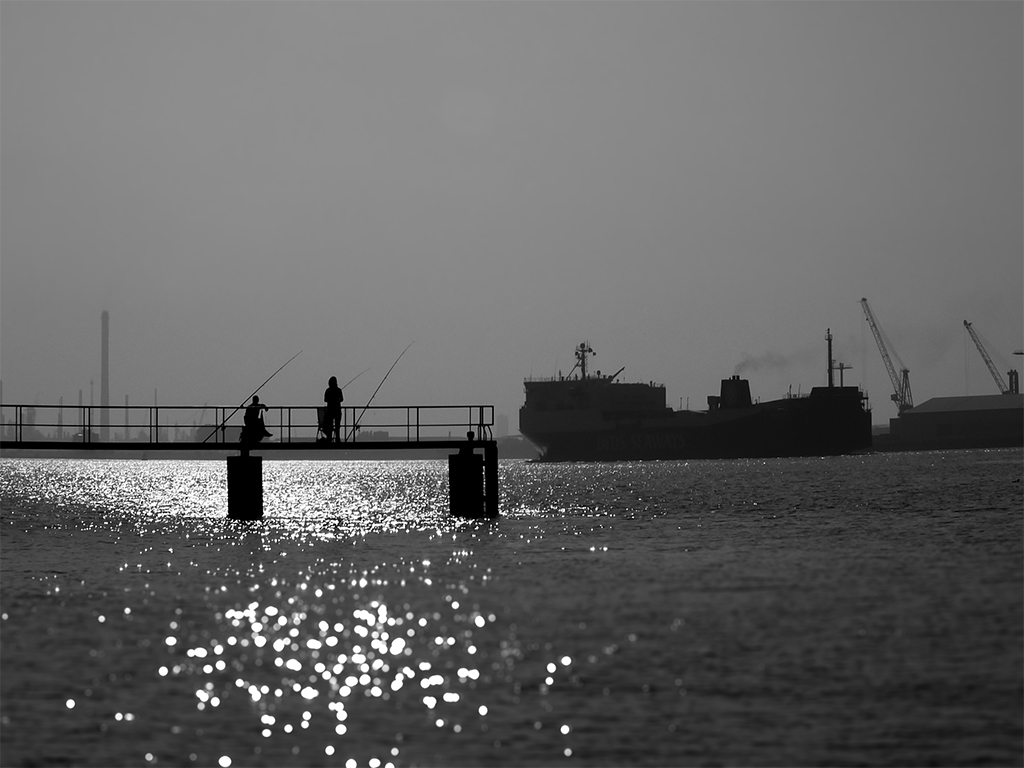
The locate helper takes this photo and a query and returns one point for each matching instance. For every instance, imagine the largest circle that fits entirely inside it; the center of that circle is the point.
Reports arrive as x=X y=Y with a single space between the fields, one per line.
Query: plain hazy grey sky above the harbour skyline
x=695 y=189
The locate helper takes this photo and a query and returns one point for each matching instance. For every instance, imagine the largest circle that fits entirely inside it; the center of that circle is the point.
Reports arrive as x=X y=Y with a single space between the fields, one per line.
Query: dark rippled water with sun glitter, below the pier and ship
x=857 y=611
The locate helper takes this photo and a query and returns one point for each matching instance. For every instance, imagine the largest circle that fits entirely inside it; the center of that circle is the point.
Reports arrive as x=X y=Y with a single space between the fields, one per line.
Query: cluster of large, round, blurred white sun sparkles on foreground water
x=328 y=664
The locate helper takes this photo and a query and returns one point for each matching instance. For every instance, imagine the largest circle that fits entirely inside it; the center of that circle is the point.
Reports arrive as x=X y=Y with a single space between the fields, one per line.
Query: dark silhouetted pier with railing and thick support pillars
x=144 y=432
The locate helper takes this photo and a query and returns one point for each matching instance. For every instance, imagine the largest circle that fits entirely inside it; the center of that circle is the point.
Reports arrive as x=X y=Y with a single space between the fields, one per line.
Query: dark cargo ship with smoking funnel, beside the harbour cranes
x=586 y=417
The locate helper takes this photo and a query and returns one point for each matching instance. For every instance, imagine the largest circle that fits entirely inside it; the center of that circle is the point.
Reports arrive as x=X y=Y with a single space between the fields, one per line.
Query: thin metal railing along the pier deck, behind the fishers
x=222 y=425
